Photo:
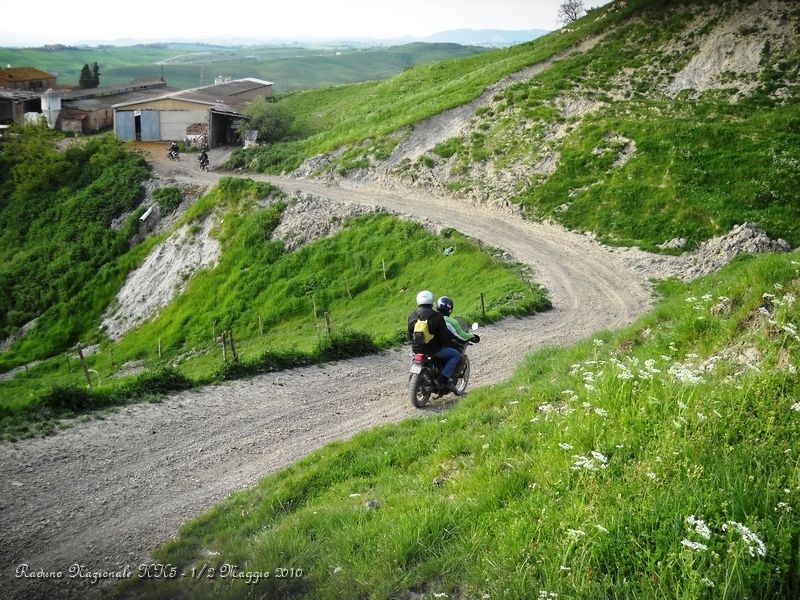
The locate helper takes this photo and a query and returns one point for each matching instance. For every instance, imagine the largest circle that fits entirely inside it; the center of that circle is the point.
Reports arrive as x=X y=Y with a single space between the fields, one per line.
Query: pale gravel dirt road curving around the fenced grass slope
x=104 y=493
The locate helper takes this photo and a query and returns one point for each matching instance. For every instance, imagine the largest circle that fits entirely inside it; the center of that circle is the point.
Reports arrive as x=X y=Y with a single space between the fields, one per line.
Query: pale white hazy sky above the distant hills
x=53 y=21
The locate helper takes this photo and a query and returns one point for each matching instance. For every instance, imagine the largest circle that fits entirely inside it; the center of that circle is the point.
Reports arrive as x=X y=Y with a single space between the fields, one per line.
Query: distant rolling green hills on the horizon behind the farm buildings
x=190 y=65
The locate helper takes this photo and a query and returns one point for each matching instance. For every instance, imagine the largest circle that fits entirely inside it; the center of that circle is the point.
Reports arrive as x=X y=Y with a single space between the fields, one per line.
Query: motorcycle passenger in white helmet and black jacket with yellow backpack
x=429 y=335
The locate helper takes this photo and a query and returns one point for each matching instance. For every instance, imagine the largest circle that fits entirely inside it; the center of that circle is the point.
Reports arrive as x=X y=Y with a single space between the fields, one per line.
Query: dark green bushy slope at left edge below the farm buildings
x=57 y=243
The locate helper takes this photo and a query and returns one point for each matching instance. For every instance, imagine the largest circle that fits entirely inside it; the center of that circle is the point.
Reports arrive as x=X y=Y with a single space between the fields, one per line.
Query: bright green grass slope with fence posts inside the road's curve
x=365 y=278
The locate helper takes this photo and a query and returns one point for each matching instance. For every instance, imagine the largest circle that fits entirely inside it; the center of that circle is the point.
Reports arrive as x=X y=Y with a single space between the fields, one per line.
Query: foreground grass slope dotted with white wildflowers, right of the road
x=586 y=475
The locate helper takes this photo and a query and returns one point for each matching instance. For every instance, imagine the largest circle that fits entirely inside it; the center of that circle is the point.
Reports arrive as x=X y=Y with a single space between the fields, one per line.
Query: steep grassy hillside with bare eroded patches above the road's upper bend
x=598 y=141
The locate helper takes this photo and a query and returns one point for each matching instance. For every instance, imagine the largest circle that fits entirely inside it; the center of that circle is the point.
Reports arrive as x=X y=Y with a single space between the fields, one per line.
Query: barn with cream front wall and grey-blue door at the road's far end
x=183 y=115
